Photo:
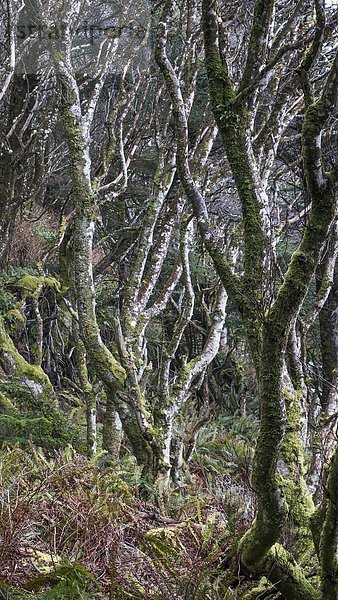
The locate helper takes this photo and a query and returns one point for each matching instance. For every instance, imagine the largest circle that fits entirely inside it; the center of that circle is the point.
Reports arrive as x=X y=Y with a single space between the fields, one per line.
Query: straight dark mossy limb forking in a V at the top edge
x=232 y=120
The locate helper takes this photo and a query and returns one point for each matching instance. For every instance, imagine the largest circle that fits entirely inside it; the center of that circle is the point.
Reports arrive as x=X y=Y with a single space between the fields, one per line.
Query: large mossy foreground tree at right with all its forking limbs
x=268 y=314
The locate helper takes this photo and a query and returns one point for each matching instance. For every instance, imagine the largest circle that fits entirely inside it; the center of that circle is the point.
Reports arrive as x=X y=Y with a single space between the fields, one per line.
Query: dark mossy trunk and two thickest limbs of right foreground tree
x=268 y=342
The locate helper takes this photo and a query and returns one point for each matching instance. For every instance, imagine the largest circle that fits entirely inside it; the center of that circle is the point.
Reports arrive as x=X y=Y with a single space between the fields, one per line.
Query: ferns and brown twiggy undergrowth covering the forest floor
x=71 y=528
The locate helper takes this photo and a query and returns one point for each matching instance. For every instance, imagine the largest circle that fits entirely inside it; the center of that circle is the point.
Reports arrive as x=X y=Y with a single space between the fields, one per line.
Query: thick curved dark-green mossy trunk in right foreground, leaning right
x=271 y=514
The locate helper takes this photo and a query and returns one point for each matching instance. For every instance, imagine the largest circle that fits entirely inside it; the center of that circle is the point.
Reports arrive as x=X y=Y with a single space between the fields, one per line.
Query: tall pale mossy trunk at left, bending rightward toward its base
x=77 y=126
